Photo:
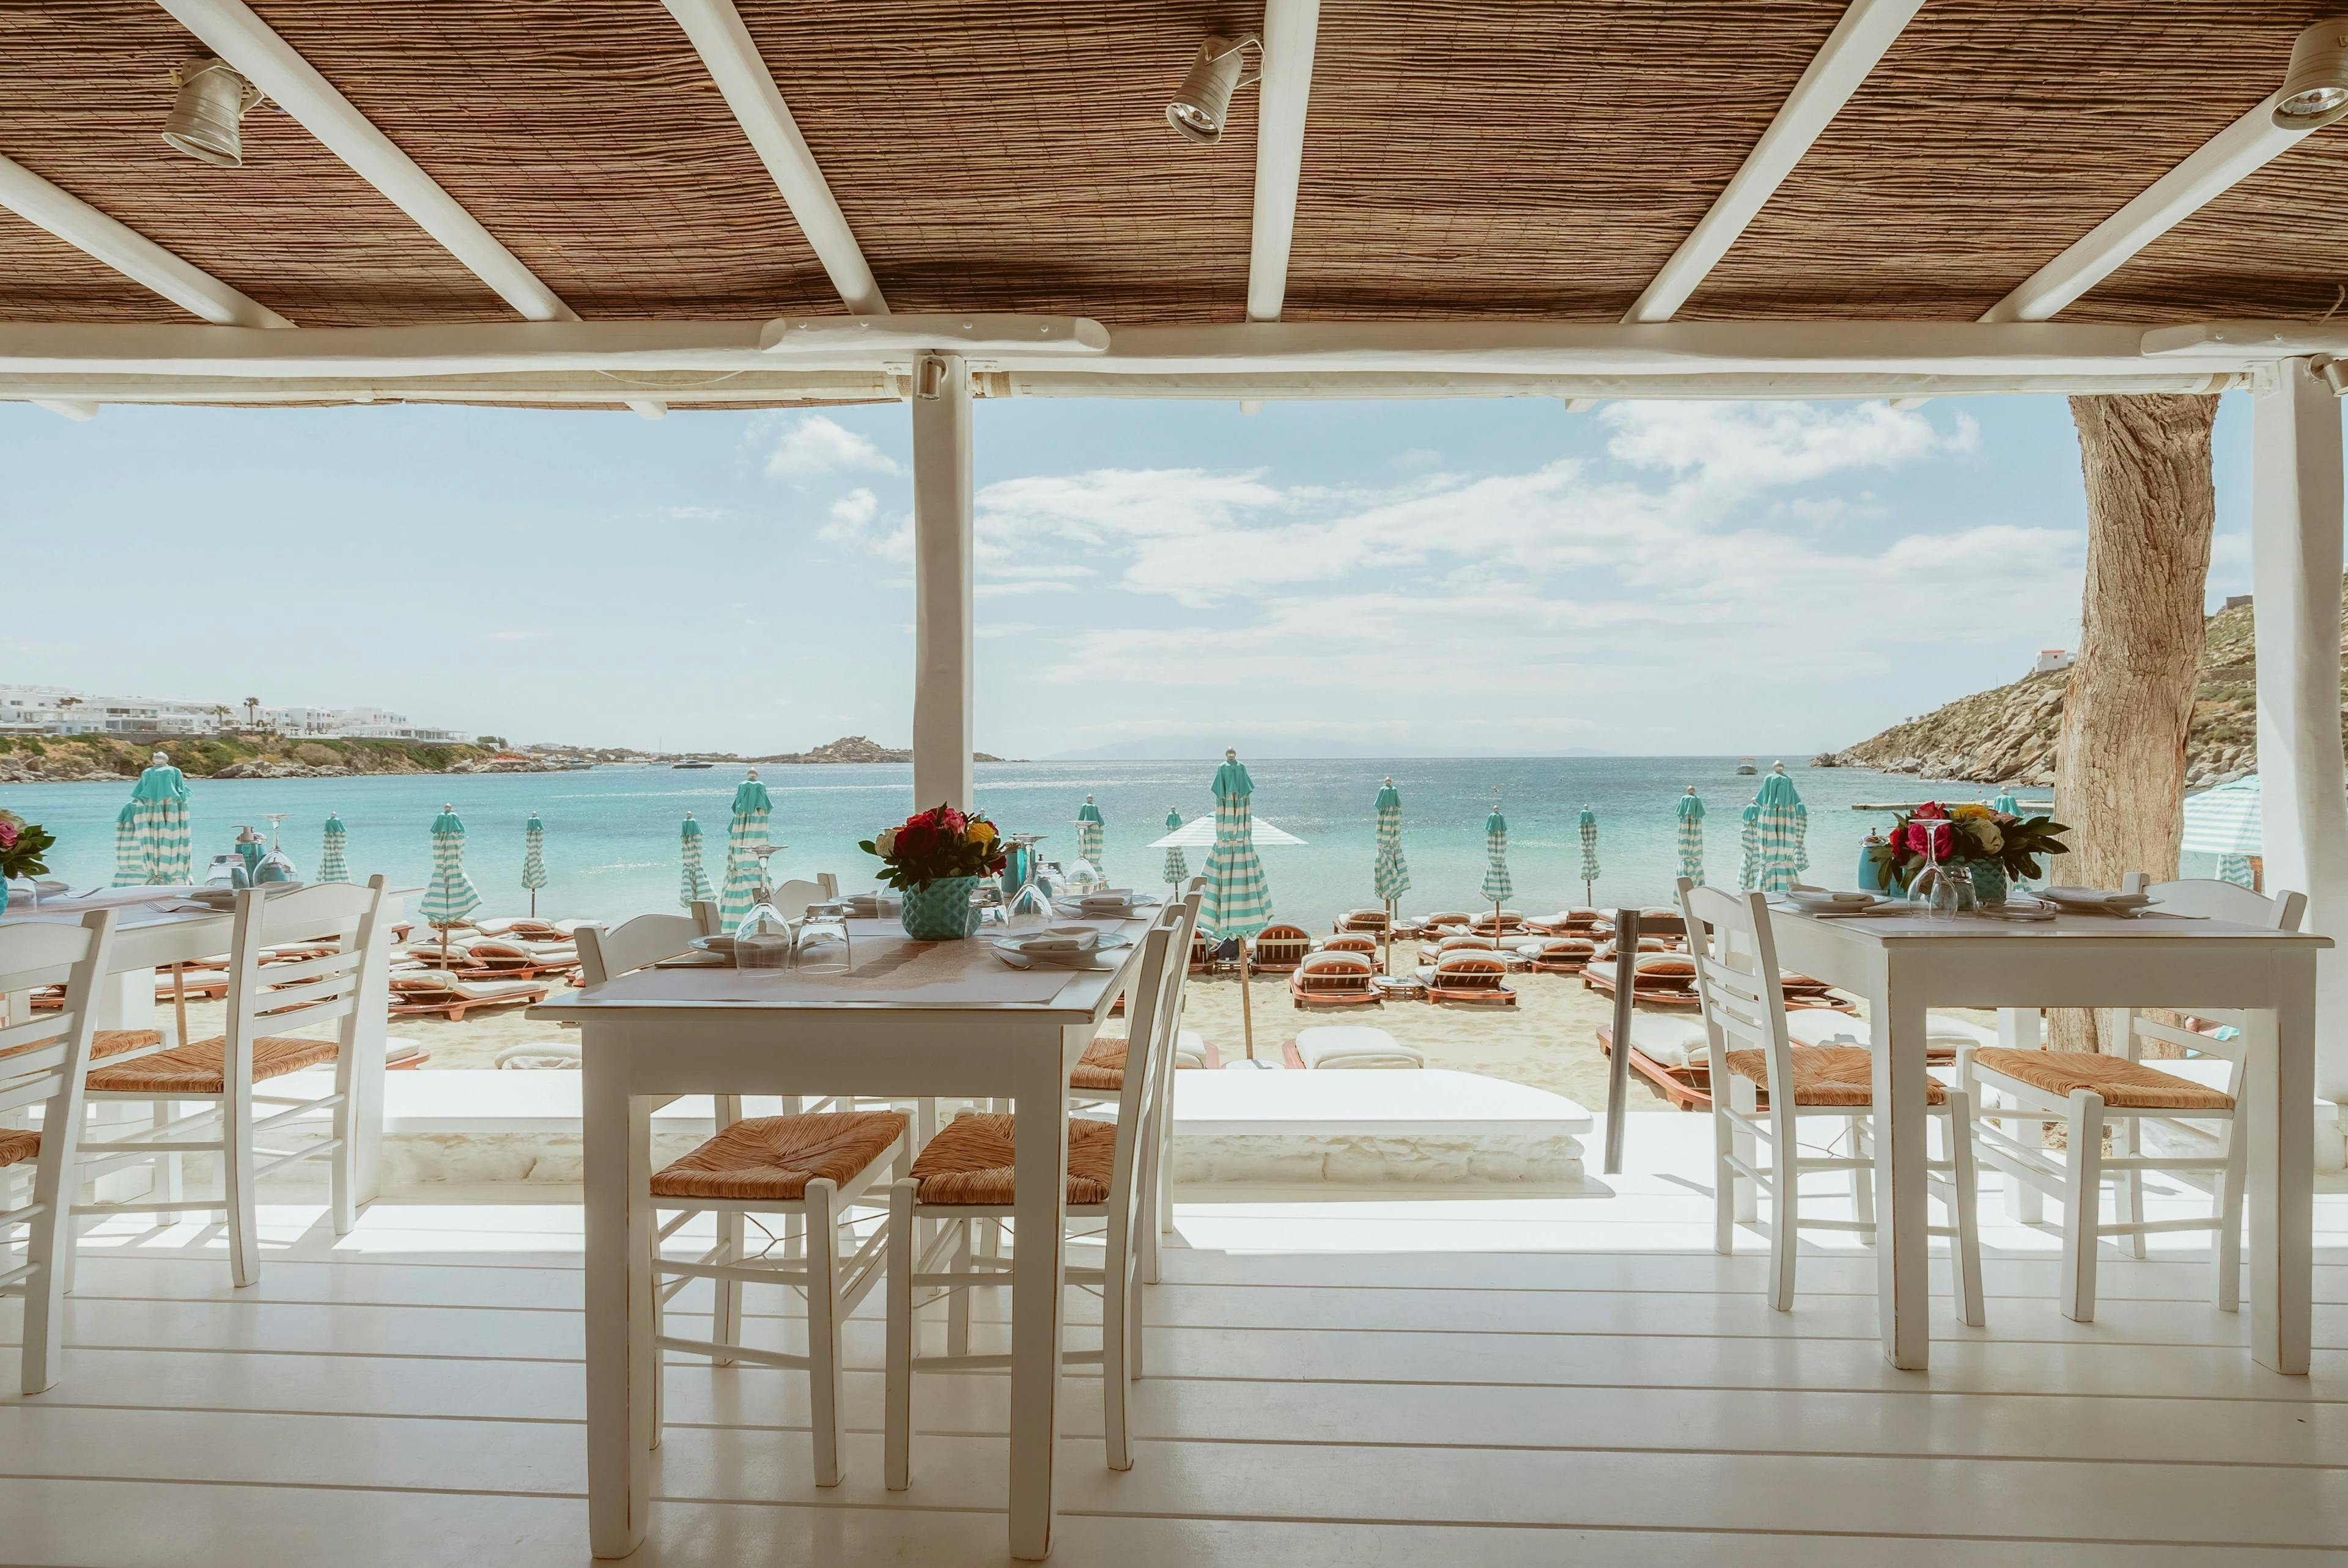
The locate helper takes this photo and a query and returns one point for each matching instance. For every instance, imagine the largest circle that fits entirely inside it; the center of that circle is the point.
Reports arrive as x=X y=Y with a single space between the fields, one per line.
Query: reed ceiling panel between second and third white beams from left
x=586 y=135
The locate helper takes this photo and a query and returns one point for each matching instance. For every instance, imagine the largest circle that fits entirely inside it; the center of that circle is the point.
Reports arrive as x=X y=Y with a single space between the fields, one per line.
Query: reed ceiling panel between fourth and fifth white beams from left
x=1469 y=161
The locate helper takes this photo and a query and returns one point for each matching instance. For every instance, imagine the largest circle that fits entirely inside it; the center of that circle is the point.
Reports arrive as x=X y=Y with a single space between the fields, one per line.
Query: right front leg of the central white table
x=1041 y=1189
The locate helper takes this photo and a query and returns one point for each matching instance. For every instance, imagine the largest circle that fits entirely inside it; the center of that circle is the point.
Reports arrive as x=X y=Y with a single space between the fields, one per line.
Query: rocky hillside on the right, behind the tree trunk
x=2009 y=736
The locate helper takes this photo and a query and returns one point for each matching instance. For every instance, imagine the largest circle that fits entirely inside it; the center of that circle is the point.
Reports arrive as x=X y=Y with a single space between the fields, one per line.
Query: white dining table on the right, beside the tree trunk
x=1908 y=964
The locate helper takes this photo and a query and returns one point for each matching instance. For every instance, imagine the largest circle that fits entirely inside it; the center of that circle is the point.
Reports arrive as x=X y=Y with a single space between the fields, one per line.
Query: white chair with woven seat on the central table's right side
x=966 y=1175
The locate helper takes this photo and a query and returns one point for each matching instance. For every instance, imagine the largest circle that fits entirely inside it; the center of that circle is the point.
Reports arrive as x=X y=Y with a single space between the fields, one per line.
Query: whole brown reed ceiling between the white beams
x=1462 y=161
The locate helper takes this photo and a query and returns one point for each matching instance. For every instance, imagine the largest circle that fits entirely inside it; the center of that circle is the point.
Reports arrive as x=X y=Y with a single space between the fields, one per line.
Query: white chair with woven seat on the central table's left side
x=807 y=1168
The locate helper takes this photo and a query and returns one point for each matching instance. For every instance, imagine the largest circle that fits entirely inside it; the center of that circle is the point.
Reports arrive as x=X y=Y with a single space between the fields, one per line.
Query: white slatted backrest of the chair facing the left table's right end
x=313 y=992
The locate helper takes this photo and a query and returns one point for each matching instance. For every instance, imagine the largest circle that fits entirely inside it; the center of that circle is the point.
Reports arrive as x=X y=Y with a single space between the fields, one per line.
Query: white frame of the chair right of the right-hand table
x=2079 y=1175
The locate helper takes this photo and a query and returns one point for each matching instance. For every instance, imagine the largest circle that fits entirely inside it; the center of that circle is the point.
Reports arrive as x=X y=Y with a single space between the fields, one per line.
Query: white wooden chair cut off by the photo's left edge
x=41 y=1065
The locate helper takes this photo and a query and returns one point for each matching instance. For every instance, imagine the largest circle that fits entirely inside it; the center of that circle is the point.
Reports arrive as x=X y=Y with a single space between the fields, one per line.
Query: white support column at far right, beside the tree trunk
x=2295 y=555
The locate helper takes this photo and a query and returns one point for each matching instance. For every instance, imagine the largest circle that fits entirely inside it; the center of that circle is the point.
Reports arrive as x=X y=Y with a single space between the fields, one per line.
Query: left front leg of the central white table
x=621 y=1358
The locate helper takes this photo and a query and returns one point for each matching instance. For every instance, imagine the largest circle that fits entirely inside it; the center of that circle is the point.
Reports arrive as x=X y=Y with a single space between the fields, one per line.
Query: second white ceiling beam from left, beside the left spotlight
x=271 y=65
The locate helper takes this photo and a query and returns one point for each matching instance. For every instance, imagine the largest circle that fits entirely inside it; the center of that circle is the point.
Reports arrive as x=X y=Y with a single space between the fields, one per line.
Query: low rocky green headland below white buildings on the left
x=43 y=759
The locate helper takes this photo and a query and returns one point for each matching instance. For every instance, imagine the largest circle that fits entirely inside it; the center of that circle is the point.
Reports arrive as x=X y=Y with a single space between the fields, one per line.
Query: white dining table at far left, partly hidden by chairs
x=161 y=926
